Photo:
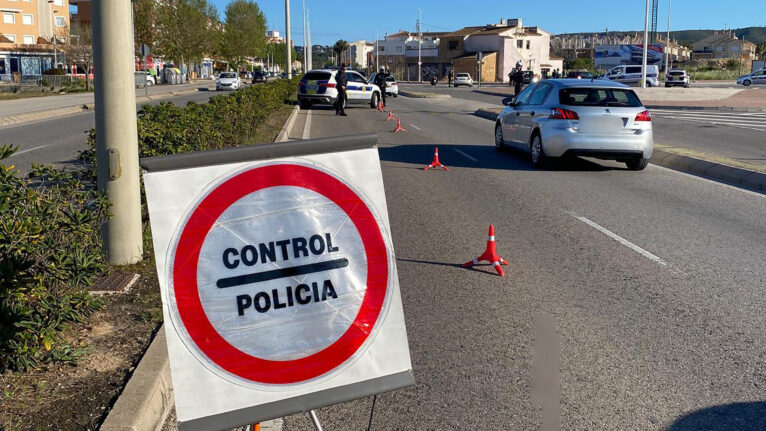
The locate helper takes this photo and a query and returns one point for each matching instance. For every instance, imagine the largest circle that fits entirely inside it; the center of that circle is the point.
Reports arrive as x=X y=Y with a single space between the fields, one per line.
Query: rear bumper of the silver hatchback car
x=558 y=142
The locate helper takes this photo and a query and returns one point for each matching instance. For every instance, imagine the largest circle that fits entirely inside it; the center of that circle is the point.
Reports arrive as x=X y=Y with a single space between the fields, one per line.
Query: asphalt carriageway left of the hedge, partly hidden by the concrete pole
x=58 y=140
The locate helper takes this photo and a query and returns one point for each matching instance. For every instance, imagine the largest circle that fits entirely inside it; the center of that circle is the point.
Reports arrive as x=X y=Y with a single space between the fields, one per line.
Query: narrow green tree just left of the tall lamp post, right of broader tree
x=244 y=32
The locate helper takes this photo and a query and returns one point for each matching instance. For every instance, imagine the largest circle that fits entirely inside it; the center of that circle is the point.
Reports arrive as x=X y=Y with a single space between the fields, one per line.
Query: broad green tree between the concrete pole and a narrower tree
x=185 y=30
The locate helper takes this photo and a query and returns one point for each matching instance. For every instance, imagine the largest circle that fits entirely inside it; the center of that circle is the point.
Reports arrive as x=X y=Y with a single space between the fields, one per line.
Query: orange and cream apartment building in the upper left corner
x=26 y=34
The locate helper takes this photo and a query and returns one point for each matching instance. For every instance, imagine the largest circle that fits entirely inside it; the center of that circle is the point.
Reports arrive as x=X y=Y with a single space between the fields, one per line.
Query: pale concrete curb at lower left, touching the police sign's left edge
x=148 y=397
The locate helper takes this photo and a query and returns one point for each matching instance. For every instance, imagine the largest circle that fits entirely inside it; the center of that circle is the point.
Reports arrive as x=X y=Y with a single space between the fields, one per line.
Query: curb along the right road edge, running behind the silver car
x=687 y=164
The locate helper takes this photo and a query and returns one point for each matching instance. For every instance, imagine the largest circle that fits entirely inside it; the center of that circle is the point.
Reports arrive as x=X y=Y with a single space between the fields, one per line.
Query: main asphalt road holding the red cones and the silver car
x=653 y=280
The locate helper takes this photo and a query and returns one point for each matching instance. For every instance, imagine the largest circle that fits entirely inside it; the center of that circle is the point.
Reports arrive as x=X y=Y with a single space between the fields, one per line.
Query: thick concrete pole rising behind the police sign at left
x=117 y=137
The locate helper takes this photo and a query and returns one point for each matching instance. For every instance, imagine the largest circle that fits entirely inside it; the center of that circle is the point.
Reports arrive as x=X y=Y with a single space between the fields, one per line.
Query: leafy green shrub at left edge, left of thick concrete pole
x=49 y=251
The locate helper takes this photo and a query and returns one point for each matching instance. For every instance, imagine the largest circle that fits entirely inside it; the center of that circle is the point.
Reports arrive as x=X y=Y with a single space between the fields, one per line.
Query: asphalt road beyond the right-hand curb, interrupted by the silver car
x=736 y=135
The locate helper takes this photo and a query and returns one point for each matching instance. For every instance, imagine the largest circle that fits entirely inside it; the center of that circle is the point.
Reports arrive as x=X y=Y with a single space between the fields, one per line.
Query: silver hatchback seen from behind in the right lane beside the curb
x=571 y=117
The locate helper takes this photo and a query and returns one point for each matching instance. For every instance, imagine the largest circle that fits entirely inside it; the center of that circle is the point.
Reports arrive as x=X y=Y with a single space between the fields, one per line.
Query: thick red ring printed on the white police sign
x=187 y=252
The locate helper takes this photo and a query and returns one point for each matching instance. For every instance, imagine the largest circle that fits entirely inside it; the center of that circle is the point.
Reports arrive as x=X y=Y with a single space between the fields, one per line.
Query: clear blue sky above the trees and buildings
x=353 y=20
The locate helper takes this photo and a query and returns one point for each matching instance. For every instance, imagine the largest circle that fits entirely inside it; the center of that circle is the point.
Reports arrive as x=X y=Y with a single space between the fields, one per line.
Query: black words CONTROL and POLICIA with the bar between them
x=287 y=249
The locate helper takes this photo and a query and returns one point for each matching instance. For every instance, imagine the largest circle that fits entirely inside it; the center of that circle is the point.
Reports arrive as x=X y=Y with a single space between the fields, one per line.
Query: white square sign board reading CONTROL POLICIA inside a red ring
x=279 y=286
